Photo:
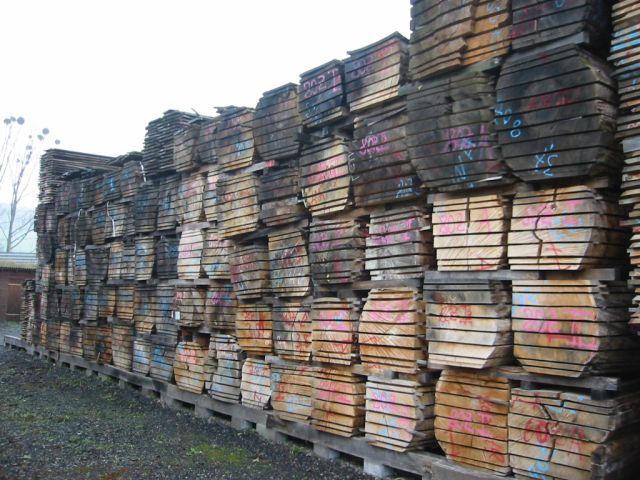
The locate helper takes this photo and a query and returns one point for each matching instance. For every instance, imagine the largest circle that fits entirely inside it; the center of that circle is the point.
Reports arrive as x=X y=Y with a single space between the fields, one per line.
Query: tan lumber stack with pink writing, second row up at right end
x=573 y=328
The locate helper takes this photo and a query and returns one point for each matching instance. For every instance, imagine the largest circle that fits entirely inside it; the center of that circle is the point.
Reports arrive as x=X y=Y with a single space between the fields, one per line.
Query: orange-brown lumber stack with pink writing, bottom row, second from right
x=471 y=419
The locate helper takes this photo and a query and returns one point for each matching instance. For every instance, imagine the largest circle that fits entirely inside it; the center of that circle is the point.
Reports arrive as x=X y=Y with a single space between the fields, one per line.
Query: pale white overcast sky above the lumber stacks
x=95 y=73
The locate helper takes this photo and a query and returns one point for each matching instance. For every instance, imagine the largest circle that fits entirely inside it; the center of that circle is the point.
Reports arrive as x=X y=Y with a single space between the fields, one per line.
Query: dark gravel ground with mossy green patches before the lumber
x=59 y=424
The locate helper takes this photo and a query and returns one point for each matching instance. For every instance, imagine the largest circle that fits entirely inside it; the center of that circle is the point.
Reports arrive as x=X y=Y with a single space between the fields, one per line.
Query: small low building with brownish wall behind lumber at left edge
x=14 y=269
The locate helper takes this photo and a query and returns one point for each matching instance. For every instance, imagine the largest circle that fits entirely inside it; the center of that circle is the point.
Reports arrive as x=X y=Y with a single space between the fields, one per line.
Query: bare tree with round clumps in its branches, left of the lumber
x=18 y=159
